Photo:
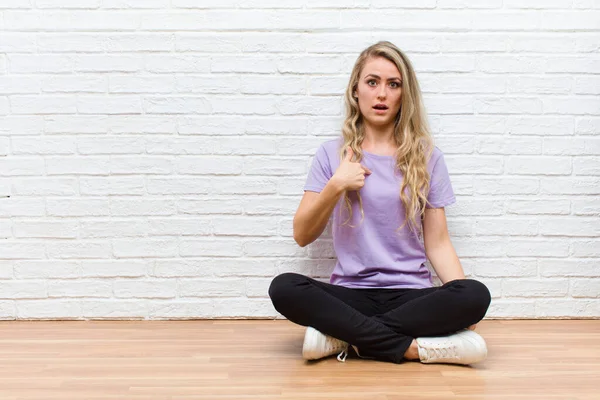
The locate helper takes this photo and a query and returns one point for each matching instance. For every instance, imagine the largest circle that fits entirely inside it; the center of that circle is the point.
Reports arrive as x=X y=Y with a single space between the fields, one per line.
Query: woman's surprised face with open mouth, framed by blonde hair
x=379 y=91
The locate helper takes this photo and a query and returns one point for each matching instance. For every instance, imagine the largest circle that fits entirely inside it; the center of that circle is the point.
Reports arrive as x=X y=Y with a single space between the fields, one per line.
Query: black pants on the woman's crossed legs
x=381 y=323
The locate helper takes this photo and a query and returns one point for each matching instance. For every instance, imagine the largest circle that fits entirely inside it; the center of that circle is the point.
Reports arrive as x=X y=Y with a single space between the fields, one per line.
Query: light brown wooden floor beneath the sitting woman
x=547 y=360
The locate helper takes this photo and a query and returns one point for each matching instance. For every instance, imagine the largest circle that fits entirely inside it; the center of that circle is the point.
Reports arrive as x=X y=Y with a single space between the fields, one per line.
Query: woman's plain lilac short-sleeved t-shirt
x=373 y=254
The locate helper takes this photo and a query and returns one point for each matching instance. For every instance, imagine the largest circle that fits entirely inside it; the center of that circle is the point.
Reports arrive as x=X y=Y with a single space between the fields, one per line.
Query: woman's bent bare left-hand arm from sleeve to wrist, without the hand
x=314 y=212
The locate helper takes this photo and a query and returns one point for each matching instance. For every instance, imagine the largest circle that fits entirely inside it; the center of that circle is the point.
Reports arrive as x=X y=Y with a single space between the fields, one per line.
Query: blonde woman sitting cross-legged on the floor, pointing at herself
x=386 y=186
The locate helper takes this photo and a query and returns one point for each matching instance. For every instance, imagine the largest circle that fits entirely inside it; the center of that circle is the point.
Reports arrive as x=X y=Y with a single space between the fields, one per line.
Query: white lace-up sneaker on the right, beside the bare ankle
x=464 y=347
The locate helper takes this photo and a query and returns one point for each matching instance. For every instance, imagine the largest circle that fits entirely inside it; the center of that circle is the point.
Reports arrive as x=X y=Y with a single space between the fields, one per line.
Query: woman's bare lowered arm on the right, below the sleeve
x=438 y=247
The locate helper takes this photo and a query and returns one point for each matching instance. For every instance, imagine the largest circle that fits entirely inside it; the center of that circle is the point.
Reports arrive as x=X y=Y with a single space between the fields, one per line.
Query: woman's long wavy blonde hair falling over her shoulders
x=411 y=134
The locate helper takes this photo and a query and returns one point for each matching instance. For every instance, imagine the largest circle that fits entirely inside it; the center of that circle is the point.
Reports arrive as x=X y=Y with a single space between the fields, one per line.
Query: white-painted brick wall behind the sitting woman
x=153 y=152
